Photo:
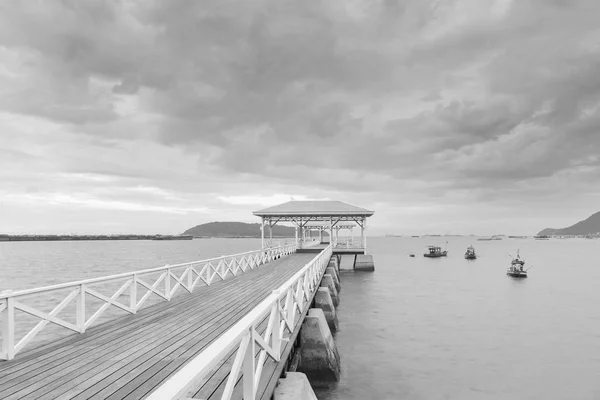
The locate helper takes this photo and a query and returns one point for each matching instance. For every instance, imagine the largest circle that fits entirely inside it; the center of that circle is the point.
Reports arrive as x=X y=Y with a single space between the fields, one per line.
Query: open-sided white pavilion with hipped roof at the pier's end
x=322 y=216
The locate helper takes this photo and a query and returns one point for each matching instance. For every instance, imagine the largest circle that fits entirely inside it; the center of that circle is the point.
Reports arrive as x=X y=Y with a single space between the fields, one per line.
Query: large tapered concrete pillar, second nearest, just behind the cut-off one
x=319 y=358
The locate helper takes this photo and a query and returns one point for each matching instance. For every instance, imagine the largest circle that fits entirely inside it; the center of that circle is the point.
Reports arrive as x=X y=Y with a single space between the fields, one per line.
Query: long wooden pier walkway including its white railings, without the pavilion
x=224 y=329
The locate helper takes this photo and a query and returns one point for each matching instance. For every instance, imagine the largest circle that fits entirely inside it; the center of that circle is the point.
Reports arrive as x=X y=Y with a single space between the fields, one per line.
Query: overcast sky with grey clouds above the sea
x=442 y=116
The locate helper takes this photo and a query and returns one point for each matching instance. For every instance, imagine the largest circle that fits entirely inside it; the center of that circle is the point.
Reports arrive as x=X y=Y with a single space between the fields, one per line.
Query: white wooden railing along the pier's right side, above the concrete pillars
x=283 y=308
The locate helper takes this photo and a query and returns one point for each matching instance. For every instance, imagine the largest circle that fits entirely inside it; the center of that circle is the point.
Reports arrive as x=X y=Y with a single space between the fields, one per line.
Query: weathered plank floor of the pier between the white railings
x=129 y=357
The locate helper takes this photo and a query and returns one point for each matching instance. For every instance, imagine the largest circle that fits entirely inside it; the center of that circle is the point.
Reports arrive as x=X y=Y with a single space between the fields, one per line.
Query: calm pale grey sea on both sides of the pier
x=417 y=328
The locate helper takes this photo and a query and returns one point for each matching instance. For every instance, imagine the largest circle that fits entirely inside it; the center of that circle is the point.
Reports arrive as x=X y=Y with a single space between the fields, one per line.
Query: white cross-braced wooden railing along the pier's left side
x=170 y=279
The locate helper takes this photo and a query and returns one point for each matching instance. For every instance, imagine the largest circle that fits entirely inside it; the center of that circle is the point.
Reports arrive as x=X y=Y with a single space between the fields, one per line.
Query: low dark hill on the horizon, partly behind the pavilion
x=236 y=229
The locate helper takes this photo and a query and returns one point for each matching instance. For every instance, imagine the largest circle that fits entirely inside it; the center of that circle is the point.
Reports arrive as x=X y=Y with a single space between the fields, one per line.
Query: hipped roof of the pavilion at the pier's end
x=314 y=208
